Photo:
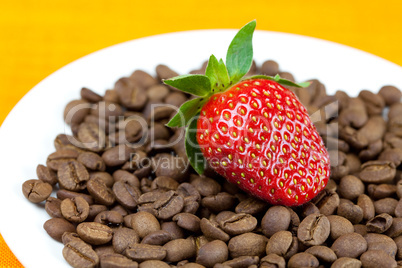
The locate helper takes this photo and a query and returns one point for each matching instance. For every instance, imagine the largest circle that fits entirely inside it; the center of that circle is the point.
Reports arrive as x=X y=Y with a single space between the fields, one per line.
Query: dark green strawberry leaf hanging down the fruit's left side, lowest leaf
x=194 y=154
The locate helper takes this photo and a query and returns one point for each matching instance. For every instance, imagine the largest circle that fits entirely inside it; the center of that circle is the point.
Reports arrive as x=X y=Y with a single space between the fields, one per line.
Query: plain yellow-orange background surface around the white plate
x=38 y=37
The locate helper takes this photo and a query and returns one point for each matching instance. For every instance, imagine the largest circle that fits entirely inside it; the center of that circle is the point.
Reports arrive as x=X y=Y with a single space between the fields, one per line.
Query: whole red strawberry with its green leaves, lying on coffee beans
x=252 y=131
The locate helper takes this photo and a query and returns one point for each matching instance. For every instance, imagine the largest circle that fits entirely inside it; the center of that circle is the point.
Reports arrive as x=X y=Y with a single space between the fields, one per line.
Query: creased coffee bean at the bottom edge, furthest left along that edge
x=79 y=254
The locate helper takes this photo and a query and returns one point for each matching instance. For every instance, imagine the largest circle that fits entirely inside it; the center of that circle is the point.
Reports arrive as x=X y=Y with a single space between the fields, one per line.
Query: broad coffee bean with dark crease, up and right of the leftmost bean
x=73 y=176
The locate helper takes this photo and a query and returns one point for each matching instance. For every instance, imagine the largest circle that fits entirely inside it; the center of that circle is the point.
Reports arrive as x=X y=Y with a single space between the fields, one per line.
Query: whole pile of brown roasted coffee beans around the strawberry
x=125 y=195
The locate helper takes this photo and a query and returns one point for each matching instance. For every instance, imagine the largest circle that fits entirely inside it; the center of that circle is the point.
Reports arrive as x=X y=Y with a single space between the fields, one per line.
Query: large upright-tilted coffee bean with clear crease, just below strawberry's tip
x=314 y=230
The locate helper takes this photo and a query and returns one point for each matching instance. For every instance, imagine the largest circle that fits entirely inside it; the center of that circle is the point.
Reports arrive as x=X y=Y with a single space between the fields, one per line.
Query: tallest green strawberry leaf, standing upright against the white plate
x=240 y=53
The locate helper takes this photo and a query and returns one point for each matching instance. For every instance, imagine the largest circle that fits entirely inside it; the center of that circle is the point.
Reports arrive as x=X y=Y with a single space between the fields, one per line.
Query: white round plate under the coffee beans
x=26 y=136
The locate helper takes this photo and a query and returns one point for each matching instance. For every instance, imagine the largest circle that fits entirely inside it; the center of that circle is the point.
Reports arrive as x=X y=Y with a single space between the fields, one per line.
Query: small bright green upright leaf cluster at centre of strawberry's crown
x=218 y=74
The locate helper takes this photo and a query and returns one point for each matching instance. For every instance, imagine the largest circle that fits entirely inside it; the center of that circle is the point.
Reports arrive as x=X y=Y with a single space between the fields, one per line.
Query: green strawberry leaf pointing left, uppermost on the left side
x=195 y=84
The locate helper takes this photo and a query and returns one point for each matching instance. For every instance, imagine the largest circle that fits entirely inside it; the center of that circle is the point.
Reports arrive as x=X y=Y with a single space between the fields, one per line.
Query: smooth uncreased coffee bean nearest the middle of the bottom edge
x=212 y=253
